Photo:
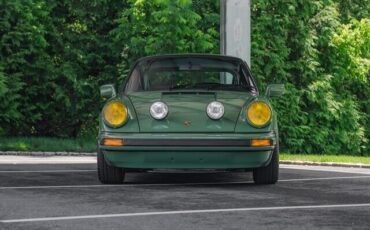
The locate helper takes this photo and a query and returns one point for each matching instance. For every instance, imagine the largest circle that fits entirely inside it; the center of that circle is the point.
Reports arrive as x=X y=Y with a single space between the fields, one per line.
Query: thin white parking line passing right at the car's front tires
x=174 y=184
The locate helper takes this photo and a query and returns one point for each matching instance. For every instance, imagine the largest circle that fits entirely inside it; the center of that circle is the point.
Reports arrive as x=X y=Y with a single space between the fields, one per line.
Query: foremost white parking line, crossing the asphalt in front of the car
x=341 y=206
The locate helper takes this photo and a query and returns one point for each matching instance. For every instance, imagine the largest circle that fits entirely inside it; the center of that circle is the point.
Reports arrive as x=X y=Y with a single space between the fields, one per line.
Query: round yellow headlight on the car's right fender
x=259 y=113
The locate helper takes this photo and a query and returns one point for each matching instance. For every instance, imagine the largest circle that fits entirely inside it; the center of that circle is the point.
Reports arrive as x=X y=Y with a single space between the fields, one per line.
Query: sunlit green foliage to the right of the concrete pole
x=320 y=50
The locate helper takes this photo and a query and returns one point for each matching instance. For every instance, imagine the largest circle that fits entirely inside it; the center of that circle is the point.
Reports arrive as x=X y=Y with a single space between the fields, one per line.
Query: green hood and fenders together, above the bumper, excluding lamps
x=188 y=107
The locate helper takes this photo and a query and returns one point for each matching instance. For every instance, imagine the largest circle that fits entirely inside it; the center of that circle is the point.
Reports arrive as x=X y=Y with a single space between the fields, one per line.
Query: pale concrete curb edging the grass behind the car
x=77 y=154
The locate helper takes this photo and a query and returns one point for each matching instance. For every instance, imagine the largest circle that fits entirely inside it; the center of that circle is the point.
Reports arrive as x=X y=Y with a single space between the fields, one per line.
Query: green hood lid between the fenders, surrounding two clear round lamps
x=187 y=110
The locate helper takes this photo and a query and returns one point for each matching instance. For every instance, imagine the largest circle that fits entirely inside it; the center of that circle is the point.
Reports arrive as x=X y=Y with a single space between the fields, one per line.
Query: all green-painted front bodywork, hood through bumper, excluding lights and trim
x=188 y=107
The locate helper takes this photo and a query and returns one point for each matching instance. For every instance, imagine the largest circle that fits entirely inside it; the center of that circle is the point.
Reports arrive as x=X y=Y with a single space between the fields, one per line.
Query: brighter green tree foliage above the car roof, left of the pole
x=160 y=27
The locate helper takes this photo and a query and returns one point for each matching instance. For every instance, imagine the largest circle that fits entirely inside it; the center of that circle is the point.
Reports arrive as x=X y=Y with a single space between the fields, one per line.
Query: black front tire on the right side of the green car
x=270 y=173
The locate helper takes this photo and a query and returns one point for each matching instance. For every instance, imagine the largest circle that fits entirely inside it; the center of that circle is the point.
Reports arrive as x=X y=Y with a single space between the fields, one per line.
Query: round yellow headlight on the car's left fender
x=115 y=113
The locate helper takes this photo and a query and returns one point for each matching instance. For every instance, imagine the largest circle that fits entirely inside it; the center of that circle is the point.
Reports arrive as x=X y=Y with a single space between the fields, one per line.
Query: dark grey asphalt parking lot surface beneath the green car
x=69 y=196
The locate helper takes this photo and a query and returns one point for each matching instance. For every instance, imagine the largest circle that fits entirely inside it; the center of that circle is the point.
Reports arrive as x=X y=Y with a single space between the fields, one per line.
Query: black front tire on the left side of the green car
x=109 y=174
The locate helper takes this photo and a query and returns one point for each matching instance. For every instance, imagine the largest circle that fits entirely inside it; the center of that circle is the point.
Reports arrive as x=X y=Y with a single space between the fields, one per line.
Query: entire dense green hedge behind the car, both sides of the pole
x=55 y=54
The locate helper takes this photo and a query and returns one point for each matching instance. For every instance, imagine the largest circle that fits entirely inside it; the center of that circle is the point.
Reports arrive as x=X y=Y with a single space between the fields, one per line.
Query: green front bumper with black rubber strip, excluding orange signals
x=188 y=151
